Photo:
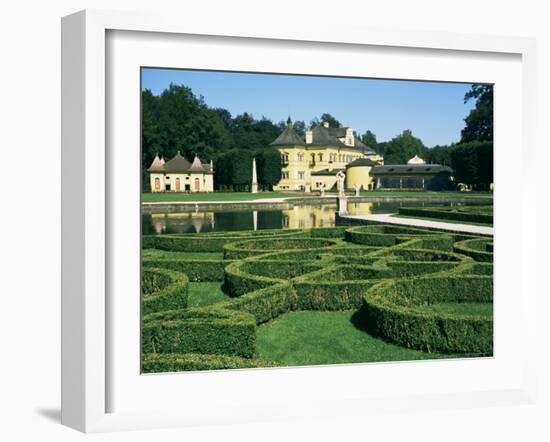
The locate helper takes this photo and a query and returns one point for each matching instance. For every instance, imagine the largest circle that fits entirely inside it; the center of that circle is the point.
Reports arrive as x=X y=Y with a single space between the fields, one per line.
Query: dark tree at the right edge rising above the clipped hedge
x=479 y=122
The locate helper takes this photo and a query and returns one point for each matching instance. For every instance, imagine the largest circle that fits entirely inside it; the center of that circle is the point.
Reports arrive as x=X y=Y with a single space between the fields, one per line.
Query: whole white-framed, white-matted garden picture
x=272 y=222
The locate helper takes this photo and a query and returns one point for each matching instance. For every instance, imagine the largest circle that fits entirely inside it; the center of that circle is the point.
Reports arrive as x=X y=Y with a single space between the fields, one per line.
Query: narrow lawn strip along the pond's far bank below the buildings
x=247 y=196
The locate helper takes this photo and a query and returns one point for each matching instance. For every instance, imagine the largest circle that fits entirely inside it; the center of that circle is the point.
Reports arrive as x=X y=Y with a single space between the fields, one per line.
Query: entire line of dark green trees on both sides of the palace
x=177 y=120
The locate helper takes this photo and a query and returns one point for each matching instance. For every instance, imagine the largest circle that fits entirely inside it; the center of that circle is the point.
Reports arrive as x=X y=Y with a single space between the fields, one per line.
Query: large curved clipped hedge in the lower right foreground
x=391 y=312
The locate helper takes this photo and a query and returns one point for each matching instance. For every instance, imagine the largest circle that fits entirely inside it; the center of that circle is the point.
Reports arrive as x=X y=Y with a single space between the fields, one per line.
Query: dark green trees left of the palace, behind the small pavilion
x=177 y=120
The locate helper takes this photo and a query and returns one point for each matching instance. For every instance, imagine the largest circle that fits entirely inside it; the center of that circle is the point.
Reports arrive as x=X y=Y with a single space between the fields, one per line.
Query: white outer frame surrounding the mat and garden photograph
x=87 y=211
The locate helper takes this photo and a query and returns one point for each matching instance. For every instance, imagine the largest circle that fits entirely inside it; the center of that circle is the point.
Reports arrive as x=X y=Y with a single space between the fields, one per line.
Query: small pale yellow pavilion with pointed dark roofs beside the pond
x=179 y=175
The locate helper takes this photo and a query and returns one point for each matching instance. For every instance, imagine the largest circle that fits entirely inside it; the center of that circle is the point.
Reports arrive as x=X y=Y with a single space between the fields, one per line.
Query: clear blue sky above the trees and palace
x=433 y=111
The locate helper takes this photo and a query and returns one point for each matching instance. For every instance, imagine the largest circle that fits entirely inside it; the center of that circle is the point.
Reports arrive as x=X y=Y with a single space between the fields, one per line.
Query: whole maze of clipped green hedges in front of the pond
x=387 y=274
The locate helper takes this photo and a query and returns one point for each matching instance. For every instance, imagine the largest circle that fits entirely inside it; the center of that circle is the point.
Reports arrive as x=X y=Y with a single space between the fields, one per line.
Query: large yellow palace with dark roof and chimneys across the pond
x=310 y=163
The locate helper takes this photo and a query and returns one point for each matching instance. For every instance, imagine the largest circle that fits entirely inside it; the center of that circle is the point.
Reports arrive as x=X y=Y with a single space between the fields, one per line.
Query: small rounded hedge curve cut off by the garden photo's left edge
x=163 y=289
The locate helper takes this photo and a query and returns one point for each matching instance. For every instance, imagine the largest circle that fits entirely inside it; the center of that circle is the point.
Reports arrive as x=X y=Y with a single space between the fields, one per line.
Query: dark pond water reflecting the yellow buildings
x=297 y=217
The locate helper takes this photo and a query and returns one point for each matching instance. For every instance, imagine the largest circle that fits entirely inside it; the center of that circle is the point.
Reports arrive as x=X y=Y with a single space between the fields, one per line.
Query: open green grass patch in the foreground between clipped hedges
x=313 y=337
